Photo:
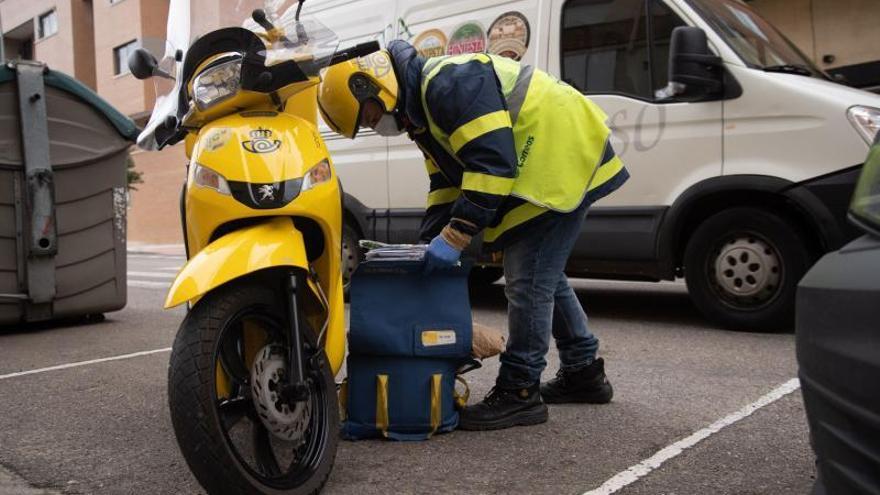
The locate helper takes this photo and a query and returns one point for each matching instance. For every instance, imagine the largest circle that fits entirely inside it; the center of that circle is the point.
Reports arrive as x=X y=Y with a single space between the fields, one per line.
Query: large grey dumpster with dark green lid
x=63 y=154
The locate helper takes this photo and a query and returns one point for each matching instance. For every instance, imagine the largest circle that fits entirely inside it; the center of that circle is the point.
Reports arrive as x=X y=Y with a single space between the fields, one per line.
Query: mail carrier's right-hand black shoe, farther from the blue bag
x=586 y=384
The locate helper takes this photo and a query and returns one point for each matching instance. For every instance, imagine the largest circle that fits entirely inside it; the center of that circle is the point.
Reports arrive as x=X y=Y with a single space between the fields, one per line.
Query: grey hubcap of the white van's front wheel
x=748 y=270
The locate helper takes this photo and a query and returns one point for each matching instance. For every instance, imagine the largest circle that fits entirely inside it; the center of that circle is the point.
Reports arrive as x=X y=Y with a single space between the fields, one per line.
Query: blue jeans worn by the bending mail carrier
x=540 y=302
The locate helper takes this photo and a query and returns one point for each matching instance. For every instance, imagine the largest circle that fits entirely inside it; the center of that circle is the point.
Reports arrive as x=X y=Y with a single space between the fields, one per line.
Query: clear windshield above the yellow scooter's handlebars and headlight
x=305 y=41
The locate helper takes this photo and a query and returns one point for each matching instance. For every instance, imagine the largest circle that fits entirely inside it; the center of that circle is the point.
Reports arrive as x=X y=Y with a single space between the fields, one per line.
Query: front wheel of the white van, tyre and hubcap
x=742 y=267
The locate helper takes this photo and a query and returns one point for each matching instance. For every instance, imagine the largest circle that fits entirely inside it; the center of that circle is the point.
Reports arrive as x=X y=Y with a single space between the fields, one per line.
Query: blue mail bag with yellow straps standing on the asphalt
x=409 y=334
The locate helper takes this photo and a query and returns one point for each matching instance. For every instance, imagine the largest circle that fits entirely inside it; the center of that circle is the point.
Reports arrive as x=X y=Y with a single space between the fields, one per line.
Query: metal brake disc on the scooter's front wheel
x=267 y=377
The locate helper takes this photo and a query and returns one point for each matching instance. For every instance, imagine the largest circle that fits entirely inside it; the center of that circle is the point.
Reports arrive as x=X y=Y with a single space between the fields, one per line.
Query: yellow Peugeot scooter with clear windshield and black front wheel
x=251 y=378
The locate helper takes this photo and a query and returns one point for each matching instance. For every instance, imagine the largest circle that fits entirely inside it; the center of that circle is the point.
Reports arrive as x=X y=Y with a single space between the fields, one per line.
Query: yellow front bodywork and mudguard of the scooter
x=271 y=238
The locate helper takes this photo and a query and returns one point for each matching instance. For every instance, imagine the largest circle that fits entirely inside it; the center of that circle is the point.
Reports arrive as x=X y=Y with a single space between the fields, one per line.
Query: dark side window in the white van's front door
x=605 y=46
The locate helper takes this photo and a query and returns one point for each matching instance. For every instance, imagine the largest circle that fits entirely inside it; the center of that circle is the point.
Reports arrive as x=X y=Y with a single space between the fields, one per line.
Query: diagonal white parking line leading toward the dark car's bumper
x=642 y=469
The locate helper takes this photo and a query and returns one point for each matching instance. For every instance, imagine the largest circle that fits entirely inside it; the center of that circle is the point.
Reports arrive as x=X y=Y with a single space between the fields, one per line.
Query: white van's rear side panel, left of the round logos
x=362 y=164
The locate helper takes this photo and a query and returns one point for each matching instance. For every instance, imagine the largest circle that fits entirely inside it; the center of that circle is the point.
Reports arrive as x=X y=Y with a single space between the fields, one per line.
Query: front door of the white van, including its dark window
x=616 y=52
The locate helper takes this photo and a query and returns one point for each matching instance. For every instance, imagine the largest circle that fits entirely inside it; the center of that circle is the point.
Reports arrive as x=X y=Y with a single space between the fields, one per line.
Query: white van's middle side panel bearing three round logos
x=437 y=27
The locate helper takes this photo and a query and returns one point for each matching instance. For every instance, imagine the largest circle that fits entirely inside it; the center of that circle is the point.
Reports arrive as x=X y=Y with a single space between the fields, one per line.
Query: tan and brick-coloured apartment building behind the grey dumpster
x=91 y=40
